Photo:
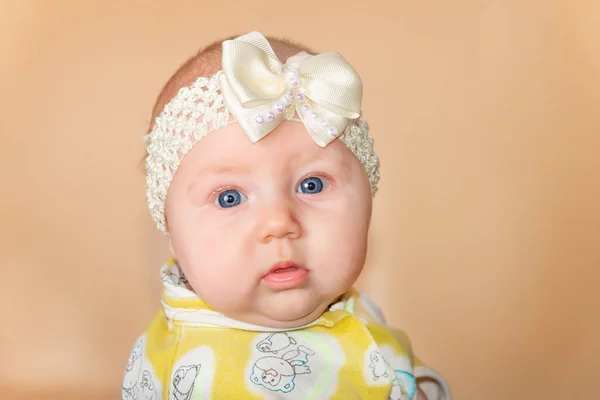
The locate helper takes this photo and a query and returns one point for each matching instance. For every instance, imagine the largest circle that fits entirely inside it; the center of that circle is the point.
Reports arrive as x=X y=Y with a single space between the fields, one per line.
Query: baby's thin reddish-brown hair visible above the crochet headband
x=207 y=62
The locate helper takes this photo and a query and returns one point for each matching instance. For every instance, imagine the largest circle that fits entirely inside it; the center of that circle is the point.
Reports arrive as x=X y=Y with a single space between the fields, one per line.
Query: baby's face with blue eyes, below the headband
x=271 y=232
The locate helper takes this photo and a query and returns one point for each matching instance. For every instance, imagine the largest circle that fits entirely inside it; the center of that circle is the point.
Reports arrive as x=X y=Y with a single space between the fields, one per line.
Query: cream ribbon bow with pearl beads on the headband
x=259 y=91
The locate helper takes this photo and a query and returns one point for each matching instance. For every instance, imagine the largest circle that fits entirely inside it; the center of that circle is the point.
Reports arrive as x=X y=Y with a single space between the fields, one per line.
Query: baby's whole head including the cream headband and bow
x=262 y=175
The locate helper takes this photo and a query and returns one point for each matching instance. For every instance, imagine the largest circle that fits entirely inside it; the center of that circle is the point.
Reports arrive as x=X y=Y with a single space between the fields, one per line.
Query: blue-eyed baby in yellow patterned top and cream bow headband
x=267 y=220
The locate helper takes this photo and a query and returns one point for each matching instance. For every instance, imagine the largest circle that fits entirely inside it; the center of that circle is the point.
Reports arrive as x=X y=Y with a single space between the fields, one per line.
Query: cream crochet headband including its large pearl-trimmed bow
x=258 y=91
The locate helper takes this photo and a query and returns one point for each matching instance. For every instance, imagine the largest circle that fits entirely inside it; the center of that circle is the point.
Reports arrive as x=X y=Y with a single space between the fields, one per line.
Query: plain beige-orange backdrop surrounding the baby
x=486 y=231
